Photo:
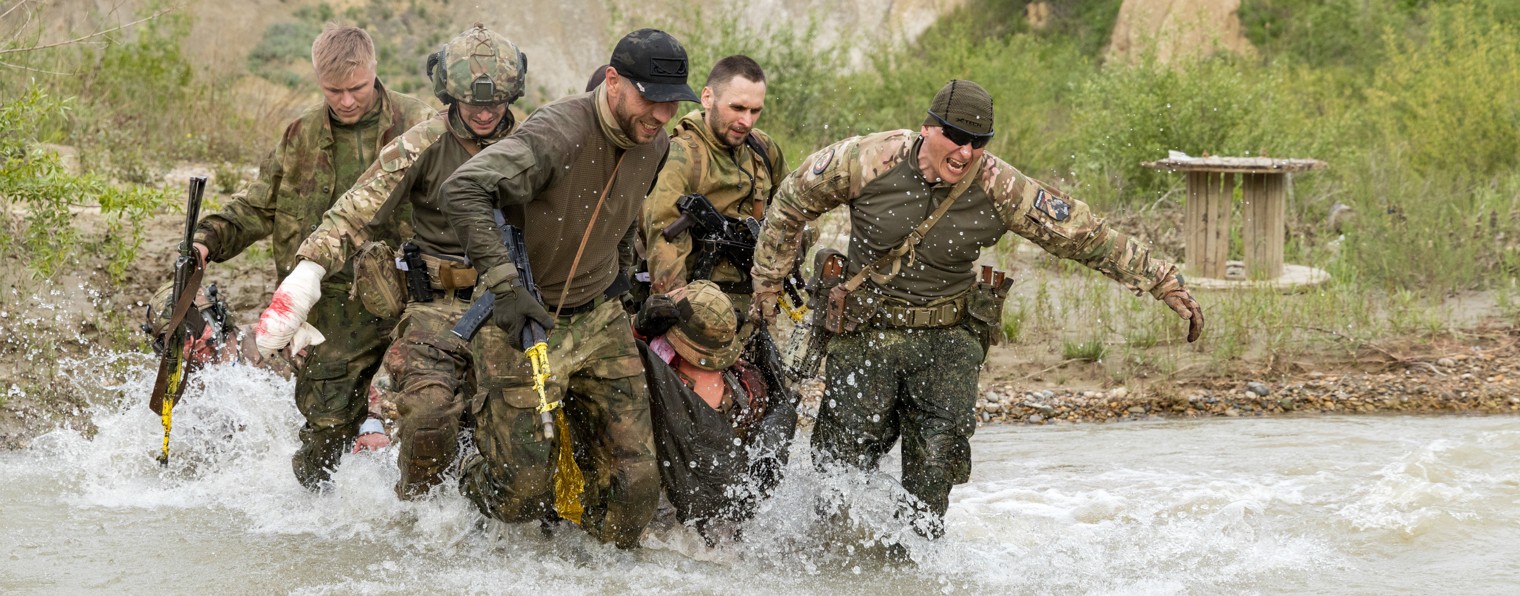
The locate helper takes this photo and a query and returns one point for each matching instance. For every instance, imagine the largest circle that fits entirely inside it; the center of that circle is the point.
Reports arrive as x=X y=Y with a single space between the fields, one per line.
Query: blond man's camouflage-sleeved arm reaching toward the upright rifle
x=249 y=218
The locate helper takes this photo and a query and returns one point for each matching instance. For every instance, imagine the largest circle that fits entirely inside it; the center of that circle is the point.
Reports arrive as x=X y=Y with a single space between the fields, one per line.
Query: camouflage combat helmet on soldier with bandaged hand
x=478 y=68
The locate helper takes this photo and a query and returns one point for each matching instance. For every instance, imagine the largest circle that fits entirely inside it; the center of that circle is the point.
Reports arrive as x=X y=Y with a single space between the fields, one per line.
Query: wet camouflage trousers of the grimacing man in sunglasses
x=917 y=384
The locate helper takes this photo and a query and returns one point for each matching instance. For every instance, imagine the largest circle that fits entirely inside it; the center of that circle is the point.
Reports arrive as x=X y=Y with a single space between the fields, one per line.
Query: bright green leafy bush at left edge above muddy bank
x=42 y=201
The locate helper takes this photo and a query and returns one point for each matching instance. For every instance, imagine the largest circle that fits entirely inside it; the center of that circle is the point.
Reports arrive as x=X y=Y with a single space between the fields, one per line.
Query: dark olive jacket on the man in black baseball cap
x=548 y=179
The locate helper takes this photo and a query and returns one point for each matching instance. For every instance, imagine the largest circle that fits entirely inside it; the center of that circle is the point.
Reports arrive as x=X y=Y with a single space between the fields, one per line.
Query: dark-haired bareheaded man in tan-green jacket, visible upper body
x=718 y=153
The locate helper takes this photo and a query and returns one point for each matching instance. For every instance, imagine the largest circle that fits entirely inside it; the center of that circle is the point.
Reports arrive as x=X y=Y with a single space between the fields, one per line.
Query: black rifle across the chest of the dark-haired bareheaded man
x=732 y=239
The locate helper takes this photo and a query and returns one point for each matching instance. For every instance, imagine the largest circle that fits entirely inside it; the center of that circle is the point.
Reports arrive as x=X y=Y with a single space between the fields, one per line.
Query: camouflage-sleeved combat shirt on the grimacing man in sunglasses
x=878 y=177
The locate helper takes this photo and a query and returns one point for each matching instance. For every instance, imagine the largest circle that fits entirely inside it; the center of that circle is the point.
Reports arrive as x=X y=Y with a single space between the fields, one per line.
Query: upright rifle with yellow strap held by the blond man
x=169 y=385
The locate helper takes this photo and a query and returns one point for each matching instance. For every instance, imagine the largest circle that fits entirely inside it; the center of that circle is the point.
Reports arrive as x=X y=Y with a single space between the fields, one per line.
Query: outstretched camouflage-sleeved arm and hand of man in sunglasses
x=1069 y=229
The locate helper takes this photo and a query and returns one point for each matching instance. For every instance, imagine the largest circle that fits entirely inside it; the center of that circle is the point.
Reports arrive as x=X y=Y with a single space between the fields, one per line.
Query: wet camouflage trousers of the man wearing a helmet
x=431 y=370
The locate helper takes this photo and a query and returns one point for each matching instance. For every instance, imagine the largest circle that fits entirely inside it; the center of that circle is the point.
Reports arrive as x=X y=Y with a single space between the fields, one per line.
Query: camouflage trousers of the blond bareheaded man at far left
x=332 y=388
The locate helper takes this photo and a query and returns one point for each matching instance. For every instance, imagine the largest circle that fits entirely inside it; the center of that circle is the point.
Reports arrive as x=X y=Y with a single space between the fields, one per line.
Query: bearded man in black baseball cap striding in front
x=574 y=179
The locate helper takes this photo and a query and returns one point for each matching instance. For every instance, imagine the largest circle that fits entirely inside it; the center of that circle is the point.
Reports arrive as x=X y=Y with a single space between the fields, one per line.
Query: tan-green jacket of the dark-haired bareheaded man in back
x=738 y=182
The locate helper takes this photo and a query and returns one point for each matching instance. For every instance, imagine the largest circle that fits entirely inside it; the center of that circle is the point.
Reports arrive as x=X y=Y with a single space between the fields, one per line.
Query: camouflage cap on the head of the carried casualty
x=708 y=337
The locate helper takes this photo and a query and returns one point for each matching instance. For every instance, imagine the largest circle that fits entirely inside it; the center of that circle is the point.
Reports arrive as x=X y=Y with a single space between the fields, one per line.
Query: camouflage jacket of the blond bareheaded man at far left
x=297 y=183
